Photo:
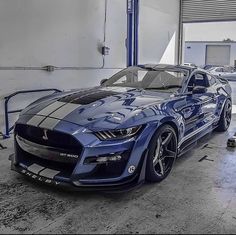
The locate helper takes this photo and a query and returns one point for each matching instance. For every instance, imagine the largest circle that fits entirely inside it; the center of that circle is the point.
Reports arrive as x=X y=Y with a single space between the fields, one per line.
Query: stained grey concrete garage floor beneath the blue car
x=198 y=197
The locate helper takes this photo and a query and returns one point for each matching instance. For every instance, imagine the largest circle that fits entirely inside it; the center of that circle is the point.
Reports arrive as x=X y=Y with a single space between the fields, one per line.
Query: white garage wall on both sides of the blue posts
x=69 y=33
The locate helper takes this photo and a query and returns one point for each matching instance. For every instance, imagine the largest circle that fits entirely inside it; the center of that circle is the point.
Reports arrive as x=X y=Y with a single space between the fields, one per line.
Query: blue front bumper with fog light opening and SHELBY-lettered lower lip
x=81 y=176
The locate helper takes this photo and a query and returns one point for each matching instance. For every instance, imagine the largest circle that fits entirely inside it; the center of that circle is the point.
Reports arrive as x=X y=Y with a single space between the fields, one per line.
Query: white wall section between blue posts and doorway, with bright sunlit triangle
x=159 y=20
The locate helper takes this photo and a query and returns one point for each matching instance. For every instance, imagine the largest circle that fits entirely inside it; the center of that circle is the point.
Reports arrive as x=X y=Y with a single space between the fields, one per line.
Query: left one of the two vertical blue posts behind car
x=129 y=41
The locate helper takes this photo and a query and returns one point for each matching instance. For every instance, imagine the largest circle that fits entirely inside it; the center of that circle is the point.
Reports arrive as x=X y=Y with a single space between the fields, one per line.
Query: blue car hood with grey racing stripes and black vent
x=97 y=108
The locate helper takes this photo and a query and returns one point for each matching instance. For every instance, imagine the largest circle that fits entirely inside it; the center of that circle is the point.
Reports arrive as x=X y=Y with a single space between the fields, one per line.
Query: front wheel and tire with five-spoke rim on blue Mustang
x=162 y=154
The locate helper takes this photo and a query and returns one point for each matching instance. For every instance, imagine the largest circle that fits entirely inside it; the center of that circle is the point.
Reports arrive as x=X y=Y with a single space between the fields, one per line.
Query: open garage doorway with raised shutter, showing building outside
x=207 y=44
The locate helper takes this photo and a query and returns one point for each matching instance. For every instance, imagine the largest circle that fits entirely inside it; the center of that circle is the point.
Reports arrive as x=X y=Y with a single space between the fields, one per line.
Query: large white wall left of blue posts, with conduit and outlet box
x=60 y=33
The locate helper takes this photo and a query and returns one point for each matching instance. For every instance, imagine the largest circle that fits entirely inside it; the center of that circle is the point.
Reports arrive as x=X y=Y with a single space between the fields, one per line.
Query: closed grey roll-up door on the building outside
x=218 y=54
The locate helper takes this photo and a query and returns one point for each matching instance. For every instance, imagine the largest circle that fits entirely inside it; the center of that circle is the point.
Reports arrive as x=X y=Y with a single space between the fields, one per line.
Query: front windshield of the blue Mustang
x=166 y=80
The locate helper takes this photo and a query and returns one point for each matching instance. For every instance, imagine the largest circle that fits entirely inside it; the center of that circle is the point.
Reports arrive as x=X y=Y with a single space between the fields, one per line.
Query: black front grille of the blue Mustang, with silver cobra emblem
x=56 y=140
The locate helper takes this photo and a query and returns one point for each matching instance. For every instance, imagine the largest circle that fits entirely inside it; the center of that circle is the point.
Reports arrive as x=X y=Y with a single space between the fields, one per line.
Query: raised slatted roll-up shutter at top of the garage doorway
x=208 y=10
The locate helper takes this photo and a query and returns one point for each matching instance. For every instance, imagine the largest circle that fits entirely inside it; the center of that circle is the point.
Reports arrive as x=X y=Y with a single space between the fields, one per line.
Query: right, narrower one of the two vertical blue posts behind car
x=136 y=31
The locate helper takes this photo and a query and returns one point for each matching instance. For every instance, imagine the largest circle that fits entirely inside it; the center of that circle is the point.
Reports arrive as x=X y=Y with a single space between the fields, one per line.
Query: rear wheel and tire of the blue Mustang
x=225 y=117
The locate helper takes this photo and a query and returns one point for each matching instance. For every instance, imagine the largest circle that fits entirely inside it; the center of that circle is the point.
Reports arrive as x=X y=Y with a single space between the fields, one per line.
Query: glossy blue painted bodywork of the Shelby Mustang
x=192 y=115
